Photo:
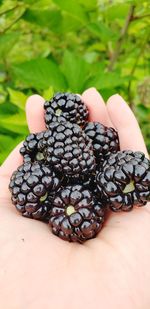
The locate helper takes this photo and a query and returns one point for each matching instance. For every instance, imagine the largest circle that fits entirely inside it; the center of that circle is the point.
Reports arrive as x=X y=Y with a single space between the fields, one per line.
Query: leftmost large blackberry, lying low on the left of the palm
x=32 y=187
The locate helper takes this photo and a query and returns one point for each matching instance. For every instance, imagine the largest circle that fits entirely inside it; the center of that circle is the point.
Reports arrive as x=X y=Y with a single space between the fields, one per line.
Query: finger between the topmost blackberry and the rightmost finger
x=96 y=106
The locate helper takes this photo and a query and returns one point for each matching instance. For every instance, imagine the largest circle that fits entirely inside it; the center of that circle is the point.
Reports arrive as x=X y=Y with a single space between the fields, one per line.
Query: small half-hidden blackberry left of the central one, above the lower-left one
x=32 y=149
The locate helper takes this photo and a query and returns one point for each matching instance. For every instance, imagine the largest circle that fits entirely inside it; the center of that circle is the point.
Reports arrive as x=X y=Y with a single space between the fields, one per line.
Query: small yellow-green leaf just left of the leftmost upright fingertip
x=17 y=98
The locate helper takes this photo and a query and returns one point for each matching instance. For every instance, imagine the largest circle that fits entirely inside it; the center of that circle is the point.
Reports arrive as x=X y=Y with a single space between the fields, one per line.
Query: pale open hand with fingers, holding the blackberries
x=39 y=270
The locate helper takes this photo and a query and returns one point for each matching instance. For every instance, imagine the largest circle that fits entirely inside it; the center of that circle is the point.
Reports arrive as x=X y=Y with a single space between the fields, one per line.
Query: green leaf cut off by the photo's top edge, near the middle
x=73 y=8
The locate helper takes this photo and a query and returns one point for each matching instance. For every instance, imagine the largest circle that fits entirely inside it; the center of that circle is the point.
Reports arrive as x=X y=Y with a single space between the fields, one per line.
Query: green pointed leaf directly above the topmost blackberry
x=75 y=70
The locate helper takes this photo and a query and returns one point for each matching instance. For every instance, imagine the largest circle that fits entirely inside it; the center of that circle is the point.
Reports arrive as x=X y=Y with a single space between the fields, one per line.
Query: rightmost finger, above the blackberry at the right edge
x=125 y=122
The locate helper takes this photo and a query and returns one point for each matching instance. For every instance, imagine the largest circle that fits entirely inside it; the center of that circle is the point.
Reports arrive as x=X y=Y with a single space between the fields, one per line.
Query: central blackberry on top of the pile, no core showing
x=68 y=149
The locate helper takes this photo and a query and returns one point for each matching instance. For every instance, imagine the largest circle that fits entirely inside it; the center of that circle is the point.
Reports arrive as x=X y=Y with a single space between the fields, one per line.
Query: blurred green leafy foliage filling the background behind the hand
x=51 y=45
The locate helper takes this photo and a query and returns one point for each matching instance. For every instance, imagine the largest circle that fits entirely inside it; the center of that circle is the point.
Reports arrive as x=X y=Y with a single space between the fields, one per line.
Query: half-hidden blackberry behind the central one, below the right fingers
x=105 y=140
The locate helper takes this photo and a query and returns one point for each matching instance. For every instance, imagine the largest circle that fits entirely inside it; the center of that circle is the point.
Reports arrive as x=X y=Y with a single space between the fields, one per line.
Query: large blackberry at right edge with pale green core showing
x=125 y=180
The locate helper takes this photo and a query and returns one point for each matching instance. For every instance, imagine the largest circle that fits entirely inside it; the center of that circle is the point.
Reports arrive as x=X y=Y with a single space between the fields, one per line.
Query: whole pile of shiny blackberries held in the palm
x=73 y=173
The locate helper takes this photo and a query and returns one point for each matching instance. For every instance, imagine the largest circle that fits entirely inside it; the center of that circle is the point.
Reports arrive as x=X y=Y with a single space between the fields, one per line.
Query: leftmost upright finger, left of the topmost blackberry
x=35 y=113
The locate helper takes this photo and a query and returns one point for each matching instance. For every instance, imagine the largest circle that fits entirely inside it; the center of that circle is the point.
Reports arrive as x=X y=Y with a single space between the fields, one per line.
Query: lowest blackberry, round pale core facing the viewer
x=76 y=215
